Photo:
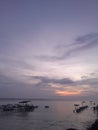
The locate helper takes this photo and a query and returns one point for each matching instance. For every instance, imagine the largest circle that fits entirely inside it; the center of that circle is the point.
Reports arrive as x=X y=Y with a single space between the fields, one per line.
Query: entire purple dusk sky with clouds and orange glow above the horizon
x=49 y=49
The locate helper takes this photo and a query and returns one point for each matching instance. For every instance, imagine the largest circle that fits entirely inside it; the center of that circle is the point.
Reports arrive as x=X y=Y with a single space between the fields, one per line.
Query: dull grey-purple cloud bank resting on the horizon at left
x=10 y=88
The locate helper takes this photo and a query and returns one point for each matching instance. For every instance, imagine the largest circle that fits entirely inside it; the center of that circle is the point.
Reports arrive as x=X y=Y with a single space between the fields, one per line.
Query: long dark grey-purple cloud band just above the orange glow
x=85 y=80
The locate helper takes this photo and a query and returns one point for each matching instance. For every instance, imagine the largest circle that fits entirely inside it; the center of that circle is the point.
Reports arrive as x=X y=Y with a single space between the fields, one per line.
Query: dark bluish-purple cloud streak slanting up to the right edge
x=80 y=44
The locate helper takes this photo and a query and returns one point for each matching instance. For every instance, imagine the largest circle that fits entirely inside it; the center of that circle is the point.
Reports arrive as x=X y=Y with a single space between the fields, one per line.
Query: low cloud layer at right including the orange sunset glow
x=67 y=86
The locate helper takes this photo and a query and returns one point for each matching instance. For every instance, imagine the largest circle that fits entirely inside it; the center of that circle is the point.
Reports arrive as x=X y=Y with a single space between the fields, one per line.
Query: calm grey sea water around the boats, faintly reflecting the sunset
x=59 y=116
